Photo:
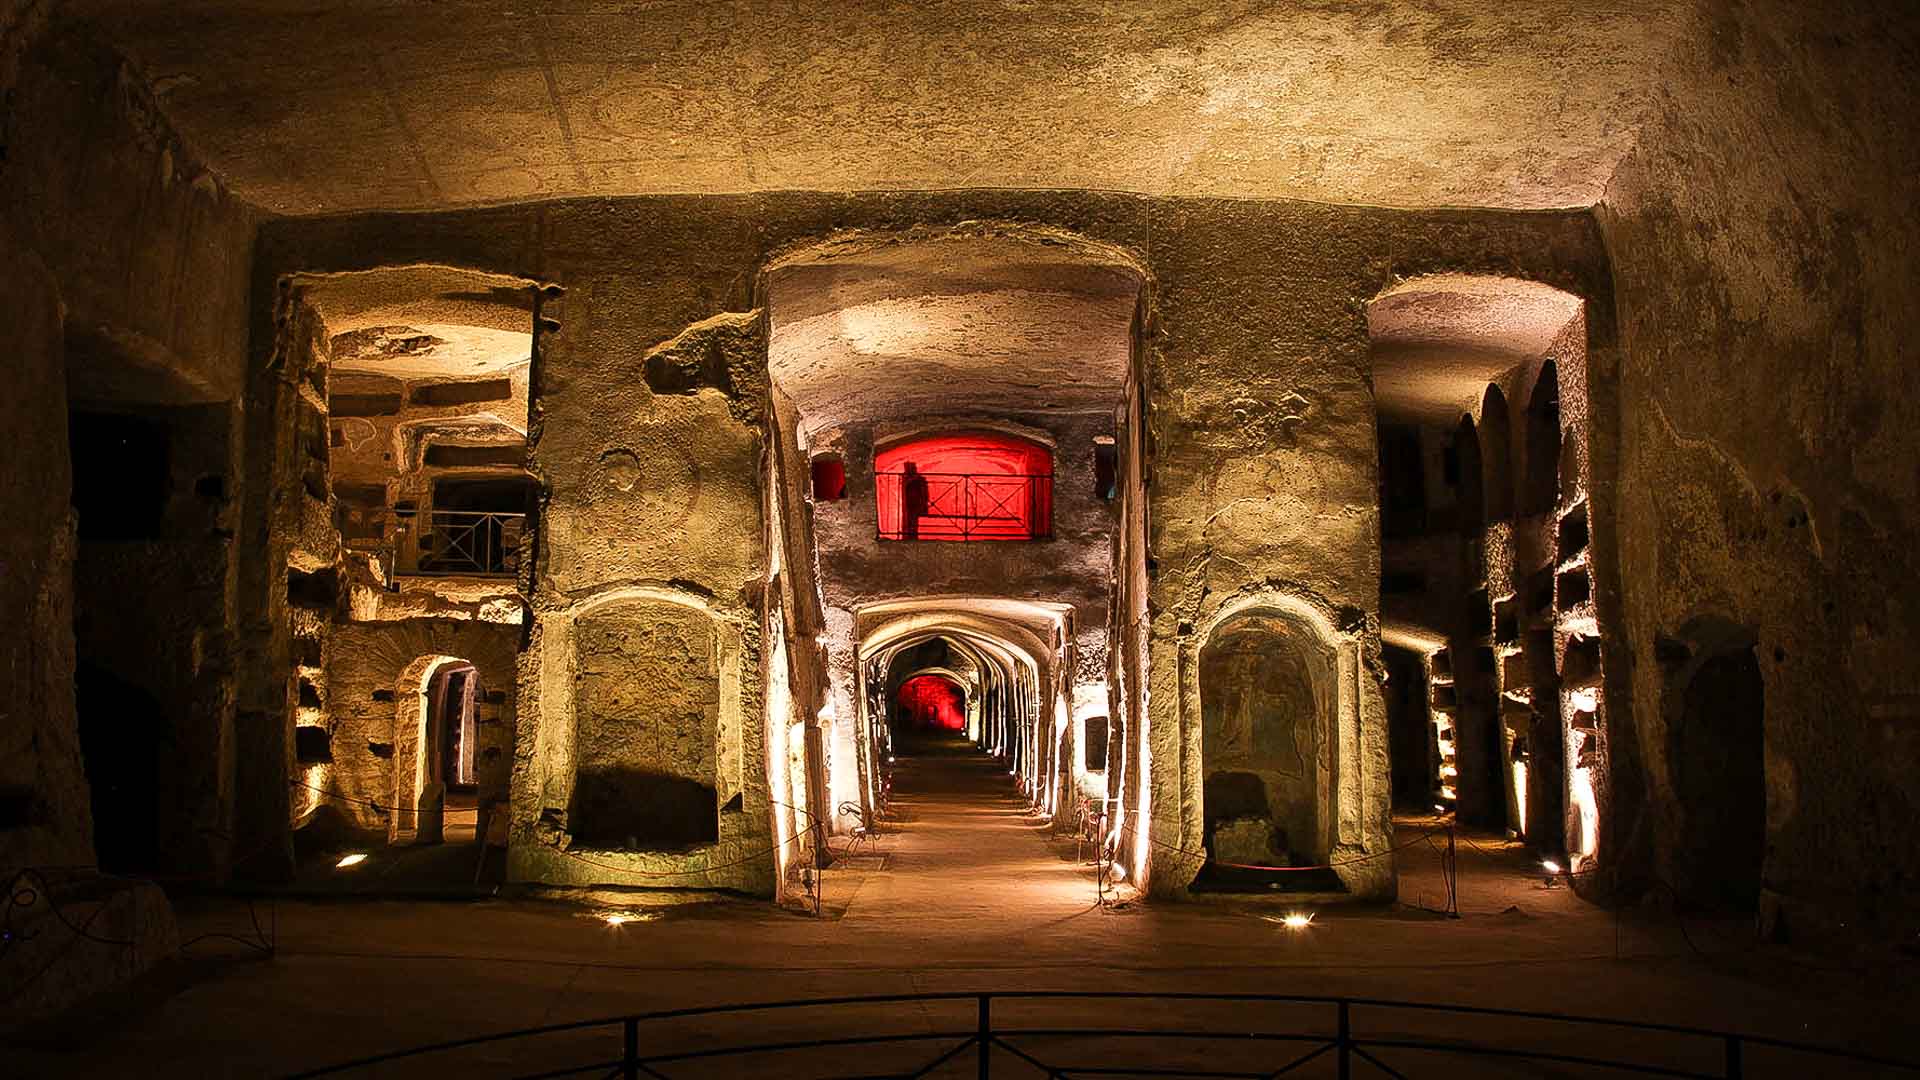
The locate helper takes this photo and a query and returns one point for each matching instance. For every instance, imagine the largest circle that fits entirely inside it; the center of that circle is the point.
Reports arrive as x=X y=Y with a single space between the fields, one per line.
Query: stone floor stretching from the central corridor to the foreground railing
x=971 y=896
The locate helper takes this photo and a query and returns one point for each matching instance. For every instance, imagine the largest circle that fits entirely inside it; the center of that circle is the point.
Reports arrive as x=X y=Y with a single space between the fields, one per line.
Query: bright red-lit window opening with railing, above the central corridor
x=965 y=487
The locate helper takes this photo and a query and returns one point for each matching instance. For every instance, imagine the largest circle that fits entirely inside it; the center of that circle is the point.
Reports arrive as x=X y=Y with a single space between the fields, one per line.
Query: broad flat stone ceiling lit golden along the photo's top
x=314 y=107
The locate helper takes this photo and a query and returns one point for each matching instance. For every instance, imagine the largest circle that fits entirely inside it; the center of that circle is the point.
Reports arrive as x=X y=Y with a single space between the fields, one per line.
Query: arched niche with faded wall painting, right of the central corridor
x=1262 y=691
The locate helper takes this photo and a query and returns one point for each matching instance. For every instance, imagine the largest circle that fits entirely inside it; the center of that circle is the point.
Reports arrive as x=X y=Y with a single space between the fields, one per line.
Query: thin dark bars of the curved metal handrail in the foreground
x=988 y=1037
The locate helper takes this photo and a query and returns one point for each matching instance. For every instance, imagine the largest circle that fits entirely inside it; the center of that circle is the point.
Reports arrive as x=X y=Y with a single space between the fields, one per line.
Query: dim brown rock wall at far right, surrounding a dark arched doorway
x=1765 y=255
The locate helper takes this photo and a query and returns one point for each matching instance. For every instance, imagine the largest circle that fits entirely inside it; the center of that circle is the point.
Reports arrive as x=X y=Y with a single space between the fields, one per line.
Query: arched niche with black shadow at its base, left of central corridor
x=648 y=720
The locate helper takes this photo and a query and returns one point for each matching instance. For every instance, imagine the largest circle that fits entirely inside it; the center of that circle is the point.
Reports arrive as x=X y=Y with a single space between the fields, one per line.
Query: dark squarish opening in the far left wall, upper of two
x=120 y=476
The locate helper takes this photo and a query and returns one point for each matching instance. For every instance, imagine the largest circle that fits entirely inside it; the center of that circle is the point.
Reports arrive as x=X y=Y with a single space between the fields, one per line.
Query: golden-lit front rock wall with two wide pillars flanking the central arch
x=1260 y=414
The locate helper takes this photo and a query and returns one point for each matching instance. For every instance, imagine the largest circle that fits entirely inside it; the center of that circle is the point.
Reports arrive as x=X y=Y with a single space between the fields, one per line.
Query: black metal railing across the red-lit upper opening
x=965 y=506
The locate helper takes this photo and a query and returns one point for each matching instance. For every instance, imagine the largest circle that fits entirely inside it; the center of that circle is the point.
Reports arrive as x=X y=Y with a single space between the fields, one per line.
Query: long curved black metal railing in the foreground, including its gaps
x=1044 y=1035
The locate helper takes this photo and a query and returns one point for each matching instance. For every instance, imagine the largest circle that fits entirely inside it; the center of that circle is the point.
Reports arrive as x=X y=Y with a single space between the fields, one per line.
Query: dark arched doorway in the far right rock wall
x=1719 y=772
